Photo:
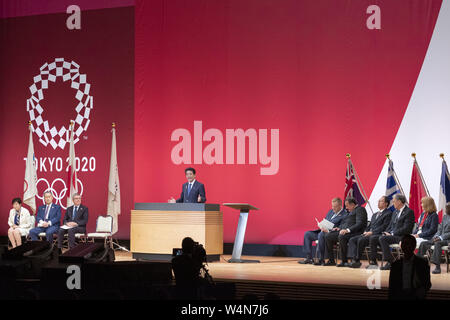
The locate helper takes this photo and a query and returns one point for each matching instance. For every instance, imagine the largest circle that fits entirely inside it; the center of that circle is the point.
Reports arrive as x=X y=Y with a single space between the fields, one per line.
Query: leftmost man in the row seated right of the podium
x=335 y=216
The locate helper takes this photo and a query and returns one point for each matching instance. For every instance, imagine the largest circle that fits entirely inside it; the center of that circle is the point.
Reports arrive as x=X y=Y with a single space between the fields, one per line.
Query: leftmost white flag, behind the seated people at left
x=30 y=189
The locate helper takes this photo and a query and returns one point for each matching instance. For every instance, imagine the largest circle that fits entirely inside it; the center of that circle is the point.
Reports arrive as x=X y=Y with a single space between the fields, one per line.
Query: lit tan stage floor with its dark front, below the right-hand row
x=291 y=280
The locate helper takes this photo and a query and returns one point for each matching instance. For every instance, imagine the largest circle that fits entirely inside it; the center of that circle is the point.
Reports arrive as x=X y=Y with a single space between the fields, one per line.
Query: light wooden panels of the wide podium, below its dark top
x=158 y=232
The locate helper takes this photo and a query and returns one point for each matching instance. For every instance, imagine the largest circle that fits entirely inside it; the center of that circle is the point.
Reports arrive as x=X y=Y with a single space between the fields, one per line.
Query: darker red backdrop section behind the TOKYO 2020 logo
x=104 y=50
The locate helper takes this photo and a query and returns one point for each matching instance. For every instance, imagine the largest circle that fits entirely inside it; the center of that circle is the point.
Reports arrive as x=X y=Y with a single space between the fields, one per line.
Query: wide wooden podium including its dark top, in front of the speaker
x=157 y=228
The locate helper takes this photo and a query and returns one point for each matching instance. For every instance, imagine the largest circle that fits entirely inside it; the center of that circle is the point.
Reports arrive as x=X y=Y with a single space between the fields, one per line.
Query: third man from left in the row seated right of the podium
x=379 y=223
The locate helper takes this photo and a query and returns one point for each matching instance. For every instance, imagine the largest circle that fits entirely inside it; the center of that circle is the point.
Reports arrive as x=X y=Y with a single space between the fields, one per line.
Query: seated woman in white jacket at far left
x=19 y=222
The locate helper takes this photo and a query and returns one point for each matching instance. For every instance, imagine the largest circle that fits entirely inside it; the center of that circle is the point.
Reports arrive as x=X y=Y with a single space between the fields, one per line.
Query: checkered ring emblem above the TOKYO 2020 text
x=46 y=133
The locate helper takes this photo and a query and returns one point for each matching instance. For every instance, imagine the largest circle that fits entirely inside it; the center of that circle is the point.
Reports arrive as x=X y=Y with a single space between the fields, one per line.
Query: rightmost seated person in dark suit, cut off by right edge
x=440 y=239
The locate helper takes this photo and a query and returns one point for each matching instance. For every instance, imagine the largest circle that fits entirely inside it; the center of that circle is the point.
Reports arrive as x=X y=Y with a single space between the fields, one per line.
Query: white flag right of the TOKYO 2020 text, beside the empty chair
x=113 y=185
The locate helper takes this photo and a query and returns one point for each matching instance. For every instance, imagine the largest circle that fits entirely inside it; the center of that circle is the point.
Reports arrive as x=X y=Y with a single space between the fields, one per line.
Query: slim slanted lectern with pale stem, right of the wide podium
x=244 y=209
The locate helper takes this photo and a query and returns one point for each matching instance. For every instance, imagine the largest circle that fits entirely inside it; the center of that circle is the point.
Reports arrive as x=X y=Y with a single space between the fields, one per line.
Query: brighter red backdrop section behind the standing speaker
x=311 y=69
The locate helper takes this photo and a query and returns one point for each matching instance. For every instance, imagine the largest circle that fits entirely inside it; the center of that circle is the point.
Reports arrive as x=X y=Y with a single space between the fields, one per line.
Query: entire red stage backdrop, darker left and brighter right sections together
x=310 y=69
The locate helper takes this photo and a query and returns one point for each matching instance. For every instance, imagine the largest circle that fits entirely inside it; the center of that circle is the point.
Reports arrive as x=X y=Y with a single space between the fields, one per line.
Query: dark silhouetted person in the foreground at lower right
x=409 y=278
